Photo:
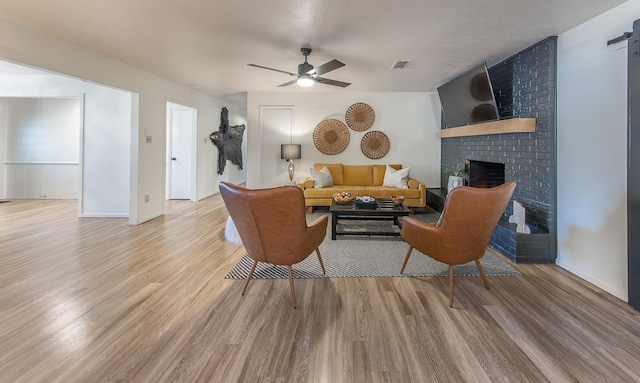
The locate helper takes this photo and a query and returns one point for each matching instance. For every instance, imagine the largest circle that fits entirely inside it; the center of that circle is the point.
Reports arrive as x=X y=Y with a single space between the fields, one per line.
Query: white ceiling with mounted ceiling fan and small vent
x=208 y=43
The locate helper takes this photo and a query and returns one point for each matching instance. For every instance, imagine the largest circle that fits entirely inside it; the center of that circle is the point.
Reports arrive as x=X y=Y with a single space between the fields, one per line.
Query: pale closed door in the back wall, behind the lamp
x=276 y=127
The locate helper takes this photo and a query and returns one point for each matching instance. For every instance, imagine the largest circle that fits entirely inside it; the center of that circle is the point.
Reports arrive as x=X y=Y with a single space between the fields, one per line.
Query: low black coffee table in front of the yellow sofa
x=384 y=211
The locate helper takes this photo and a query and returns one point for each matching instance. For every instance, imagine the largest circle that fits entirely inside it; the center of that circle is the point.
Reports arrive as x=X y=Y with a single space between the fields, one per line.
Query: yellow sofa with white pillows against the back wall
x=360 y=180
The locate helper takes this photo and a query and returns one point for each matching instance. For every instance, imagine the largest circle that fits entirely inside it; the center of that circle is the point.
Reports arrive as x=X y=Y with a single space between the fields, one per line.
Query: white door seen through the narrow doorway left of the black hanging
x=182 y=122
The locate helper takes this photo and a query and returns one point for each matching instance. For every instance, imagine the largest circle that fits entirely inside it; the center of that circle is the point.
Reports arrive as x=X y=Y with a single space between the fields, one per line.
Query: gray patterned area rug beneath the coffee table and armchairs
x=360 y=257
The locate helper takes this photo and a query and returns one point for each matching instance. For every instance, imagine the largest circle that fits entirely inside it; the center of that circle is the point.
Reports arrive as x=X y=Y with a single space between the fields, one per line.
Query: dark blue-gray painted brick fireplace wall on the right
x=525 y=86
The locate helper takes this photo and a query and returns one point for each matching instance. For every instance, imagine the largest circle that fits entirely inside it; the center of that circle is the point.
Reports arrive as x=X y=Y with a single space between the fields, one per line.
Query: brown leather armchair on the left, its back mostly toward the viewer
x=273 y=226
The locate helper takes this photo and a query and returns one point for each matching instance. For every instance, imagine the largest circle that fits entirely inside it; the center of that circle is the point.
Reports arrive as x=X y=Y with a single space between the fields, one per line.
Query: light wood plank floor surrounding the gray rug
x=97 y=300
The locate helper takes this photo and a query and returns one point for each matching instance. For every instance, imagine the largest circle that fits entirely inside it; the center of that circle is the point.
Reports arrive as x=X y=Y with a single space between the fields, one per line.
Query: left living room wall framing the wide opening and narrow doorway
x=20 y=44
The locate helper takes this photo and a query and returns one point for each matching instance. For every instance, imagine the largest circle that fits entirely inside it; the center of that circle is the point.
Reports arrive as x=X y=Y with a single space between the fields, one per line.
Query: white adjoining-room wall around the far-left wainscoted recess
x=106 y=137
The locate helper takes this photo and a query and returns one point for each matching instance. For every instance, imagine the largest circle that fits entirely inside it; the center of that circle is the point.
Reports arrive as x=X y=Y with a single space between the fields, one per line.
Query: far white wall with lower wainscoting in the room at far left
x=42 y=145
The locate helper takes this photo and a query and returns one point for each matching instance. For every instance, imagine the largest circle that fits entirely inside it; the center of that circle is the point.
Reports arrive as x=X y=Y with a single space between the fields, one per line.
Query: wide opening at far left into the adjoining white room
x=67 y=139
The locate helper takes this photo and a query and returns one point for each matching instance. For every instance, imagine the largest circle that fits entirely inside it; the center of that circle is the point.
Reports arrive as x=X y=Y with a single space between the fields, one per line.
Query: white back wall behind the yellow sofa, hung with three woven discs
x=410 y=120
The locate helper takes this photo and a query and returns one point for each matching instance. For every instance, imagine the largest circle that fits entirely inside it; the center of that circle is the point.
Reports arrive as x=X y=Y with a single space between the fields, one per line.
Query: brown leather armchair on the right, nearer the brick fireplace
x=468 y=219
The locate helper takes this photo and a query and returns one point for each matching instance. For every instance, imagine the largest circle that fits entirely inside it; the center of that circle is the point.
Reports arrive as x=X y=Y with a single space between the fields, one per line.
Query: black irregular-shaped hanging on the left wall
x=228 y=139
